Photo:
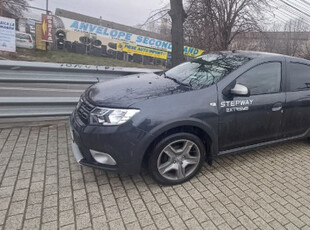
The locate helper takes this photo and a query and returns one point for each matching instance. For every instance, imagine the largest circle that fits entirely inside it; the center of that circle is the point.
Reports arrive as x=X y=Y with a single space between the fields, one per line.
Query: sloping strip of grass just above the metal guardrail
x=66 y=57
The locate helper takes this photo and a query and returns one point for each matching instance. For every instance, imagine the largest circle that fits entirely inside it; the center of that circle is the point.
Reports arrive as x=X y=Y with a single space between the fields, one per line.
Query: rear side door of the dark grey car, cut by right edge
x=296 y=120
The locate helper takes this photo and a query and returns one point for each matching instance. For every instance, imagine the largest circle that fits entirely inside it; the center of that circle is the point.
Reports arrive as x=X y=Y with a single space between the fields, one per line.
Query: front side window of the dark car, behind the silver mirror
x=262 y=79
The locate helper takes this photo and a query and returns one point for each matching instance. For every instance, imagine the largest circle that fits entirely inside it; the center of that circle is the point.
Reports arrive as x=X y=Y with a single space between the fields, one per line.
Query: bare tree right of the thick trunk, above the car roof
x=223 y=20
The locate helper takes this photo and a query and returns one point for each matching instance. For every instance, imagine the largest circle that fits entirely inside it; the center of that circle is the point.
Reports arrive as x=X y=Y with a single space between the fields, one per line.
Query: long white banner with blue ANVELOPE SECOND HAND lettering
x=109 y=34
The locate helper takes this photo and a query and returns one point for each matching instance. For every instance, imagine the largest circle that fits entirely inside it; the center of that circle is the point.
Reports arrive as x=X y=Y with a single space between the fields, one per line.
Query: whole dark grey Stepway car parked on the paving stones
x=216 y=104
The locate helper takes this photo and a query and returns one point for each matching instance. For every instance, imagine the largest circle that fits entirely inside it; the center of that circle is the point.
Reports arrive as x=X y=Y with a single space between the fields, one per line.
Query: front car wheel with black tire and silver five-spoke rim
x=176 y=158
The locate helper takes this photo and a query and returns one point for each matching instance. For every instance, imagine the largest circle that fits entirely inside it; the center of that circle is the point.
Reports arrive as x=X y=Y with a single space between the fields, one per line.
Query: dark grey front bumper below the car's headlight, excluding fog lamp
x=120 y=142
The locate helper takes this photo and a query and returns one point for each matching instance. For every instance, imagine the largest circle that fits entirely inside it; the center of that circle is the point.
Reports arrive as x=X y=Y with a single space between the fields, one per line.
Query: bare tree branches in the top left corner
x=14 y=8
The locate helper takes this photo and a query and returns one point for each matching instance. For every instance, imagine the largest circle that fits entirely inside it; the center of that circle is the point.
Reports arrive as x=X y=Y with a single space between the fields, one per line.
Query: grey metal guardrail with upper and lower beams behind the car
x=39 y=72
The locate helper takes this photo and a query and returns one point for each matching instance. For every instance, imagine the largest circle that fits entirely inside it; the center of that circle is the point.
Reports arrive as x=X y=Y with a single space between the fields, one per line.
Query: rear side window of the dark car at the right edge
x=299 y=77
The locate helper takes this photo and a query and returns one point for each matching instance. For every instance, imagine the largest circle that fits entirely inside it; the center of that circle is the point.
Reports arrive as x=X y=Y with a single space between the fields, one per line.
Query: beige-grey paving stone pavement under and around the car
x=42 y=187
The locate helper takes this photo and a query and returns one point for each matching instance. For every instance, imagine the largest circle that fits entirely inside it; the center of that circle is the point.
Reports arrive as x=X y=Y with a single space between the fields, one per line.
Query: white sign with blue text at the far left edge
x=7 y=34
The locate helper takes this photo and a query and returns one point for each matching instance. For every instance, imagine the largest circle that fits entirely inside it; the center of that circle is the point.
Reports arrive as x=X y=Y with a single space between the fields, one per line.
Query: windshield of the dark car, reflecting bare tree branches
x=206 y=70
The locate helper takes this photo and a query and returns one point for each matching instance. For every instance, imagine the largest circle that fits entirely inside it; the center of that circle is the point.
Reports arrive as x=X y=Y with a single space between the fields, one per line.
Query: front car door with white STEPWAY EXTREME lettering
x=256 y=117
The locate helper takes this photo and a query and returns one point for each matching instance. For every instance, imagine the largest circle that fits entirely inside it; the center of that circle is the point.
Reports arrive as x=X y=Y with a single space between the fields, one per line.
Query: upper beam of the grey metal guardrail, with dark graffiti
x=41 y=72
